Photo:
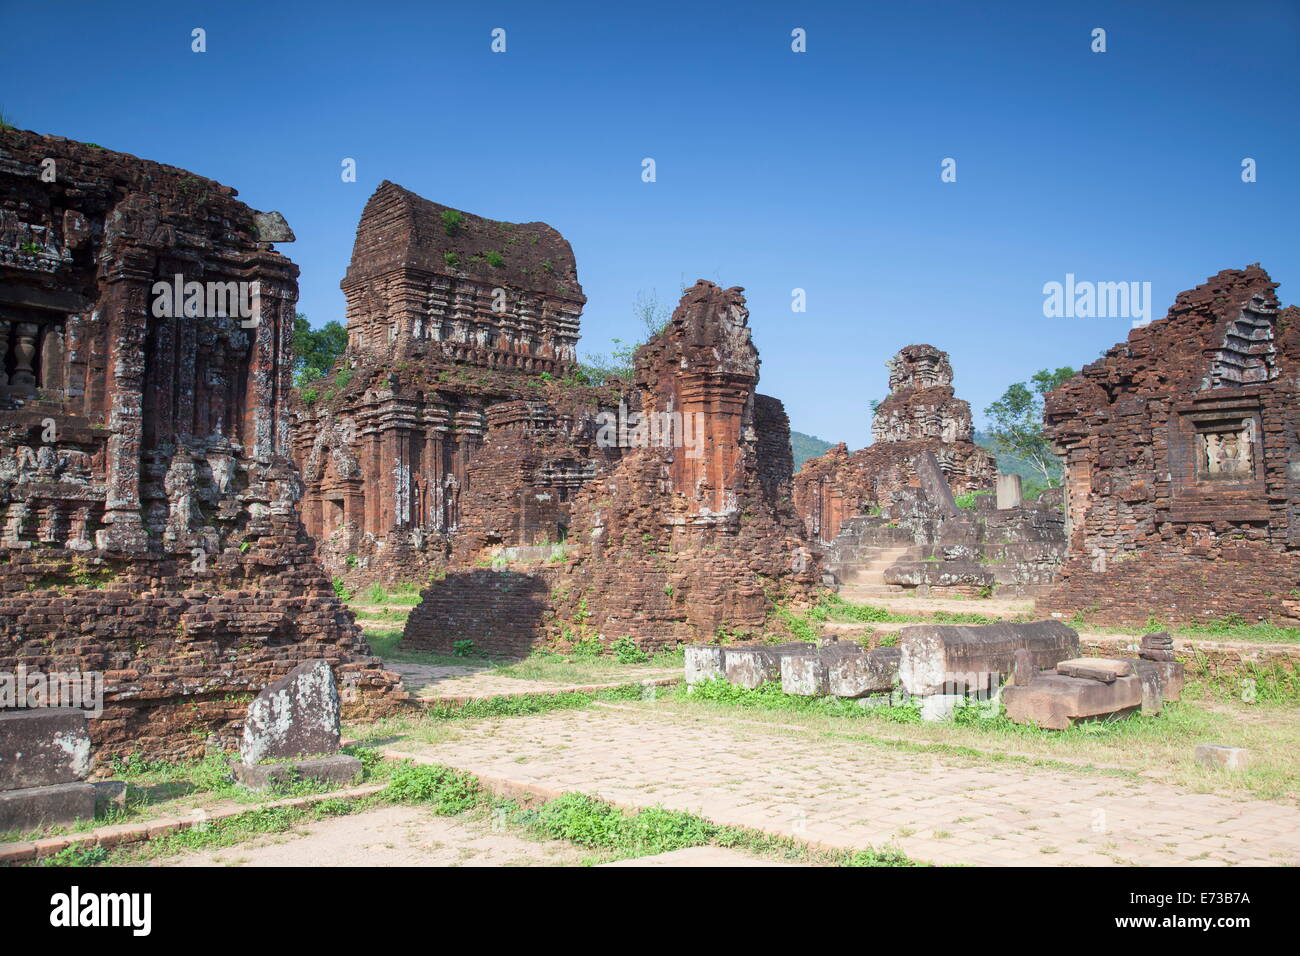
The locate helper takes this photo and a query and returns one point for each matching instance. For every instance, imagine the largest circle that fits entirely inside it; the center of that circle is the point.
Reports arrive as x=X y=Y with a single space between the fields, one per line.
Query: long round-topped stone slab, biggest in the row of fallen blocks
x=954 y=659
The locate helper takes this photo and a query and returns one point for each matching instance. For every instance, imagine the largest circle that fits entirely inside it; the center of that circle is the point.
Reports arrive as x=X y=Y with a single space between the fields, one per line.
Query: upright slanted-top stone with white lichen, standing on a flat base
x=297 y=716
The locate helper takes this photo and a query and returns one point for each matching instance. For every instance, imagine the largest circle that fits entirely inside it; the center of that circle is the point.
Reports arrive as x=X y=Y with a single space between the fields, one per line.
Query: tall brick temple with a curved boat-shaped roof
x=449 y=315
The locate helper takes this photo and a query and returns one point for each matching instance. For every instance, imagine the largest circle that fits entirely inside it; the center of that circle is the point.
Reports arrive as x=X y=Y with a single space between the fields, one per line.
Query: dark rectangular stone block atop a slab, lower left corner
x=42 y=747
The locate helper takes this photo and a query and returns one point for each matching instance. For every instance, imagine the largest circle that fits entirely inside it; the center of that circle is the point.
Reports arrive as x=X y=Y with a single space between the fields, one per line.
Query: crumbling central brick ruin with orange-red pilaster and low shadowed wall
x=690 y=537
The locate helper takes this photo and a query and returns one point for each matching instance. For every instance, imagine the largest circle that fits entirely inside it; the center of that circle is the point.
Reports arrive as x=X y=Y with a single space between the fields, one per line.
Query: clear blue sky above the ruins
x=777 y=171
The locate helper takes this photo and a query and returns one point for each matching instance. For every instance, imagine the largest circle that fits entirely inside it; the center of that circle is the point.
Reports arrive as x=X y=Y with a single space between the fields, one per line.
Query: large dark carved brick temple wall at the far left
x=149 y=529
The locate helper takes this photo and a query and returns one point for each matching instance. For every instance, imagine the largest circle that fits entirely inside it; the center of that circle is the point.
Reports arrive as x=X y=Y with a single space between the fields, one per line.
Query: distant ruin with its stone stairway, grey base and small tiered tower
x=886 y=517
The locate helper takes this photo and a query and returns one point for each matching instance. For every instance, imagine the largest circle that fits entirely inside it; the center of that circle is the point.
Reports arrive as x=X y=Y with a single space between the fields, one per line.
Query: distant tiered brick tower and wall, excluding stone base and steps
x=921 y=414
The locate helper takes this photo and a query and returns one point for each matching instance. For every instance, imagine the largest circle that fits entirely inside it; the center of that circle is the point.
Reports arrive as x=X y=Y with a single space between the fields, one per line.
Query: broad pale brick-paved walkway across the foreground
x=851 y=794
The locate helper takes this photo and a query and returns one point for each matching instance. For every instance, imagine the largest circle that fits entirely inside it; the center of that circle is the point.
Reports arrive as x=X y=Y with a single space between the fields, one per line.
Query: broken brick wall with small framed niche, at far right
x=1182 y=455
